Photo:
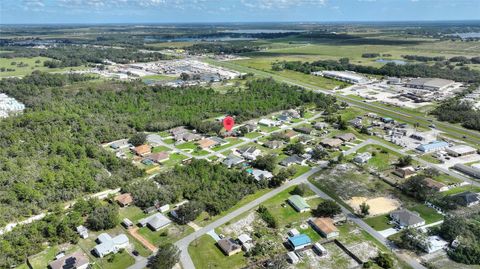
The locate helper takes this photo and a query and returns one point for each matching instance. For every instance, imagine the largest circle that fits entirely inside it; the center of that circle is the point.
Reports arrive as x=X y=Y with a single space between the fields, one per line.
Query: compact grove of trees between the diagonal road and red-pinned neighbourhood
x=214 y=185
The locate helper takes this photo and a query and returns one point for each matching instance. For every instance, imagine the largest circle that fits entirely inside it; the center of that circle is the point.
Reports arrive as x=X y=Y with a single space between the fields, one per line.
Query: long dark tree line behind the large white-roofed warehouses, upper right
x=463 y=74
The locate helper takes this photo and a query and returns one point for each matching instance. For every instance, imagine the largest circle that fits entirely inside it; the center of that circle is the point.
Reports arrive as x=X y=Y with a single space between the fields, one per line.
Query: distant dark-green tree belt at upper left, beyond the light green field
x=67 y=56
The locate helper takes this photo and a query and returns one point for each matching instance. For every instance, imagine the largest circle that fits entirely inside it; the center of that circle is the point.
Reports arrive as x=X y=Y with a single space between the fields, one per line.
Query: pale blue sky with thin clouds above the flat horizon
x=181 y=11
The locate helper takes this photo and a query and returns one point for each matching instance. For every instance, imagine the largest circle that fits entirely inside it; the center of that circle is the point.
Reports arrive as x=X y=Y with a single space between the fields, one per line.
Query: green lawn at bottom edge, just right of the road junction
x=205 y=254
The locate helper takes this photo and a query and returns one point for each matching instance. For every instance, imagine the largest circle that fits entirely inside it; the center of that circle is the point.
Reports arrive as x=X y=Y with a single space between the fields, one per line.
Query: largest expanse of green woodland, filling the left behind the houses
x=51 y=152
